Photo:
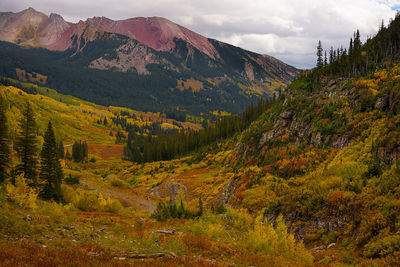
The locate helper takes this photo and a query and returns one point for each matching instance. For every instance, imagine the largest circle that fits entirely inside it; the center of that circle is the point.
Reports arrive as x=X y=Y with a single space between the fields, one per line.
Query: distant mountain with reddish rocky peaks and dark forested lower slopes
x=151 y=64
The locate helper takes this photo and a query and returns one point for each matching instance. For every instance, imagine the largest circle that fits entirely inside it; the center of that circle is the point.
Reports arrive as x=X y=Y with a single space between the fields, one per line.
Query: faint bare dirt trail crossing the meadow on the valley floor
x=126 y=199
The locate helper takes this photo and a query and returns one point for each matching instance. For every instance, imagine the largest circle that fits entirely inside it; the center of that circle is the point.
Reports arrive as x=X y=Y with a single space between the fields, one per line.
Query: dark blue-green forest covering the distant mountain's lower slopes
x=68 y=72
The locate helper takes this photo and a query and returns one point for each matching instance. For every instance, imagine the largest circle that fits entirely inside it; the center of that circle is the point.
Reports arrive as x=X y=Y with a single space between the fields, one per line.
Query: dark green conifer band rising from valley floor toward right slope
x=148 y=148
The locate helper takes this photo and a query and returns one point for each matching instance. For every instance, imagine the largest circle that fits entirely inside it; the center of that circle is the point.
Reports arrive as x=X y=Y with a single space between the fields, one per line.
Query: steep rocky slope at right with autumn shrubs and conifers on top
x=326 y=156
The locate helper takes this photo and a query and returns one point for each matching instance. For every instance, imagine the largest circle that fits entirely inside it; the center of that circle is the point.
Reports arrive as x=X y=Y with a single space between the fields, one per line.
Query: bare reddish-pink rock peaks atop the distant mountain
x=33 y=28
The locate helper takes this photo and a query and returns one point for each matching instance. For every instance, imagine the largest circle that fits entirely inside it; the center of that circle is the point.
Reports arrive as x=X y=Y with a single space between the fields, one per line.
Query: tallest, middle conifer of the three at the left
x=26 y=144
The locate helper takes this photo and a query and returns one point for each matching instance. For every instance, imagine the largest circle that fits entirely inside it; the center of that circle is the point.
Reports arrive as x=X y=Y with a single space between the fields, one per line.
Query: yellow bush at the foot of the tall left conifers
x=22 y=194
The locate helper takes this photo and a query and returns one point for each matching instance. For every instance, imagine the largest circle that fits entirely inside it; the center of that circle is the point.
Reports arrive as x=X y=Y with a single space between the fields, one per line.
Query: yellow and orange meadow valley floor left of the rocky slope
x=109 y=204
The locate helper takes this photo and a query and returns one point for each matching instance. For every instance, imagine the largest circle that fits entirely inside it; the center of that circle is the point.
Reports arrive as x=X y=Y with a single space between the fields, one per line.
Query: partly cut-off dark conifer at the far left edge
x=4 y=142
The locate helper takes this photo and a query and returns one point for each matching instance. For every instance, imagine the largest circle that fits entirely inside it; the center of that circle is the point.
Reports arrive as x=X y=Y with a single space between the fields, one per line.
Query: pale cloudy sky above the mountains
x=286 y=29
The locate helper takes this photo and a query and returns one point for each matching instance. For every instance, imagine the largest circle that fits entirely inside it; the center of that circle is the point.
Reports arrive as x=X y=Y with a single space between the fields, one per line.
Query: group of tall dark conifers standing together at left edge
x=42 y=170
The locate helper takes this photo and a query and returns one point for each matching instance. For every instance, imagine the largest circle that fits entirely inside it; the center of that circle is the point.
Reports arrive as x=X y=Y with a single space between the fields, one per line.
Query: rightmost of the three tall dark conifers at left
x=51 y=173
